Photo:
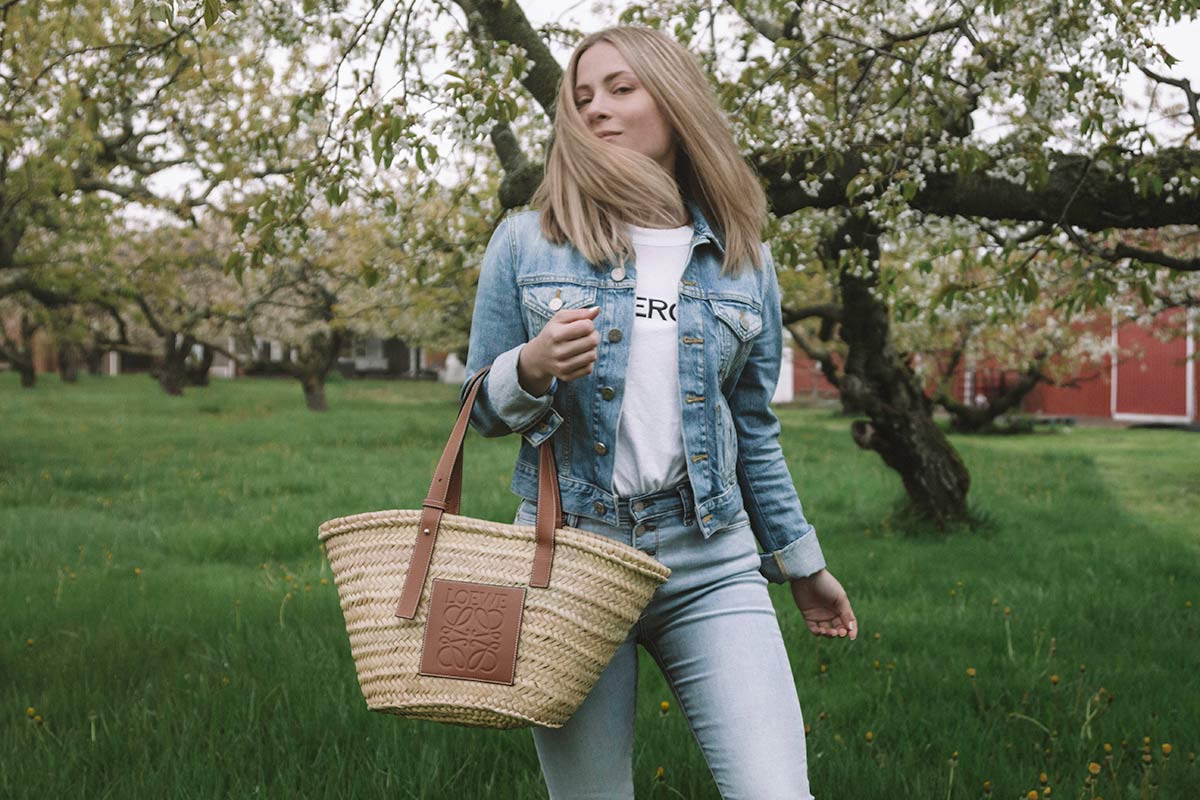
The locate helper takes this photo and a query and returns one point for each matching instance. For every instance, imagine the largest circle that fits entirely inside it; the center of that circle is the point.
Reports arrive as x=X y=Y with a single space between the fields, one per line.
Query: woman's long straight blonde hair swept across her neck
x=591 y=189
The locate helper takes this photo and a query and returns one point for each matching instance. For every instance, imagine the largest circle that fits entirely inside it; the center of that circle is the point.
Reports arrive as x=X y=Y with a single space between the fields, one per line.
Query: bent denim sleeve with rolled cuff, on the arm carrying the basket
x=497 y=335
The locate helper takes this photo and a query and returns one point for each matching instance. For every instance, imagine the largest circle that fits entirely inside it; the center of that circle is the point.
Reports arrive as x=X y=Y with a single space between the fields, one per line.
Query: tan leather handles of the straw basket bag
x=446 y=495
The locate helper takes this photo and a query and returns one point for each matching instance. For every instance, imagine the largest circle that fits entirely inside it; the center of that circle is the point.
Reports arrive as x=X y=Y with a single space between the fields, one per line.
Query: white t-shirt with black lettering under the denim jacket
x=650 y=432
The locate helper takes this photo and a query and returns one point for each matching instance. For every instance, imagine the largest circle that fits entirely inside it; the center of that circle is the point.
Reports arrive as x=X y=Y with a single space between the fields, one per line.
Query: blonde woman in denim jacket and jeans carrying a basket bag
x=634 y=321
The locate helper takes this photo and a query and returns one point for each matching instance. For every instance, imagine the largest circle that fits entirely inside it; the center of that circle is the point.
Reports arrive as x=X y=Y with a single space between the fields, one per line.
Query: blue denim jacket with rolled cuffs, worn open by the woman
x=730 y=354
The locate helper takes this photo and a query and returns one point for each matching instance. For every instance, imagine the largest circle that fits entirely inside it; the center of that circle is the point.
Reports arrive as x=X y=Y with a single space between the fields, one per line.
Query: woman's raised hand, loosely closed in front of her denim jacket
x=566 y=350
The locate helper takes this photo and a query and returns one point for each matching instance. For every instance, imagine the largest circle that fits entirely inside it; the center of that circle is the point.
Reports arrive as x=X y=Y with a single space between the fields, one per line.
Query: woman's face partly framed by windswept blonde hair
x=613 y=100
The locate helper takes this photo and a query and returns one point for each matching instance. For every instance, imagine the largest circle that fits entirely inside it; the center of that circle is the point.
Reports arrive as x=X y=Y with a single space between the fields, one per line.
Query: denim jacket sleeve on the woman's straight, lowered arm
x=790 y=543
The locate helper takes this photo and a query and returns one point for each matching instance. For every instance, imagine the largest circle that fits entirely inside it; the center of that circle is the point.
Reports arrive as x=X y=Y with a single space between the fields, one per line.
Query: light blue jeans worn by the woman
x=713 y=633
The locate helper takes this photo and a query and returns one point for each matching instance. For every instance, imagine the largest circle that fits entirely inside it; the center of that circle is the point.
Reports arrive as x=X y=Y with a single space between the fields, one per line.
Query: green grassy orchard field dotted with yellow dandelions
x=169 y=625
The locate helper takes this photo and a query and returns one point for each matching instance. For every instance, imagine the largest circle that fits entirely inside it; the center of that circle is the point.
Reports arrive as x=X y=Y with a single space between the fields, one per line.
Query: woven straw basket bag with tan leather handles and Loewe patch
x=479 y=623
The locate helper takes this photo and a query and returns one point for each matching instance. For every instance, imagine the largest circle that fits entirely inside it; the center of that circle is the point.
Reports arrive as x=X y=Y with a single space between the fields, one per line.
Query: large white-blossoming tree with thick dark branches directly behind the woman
x=862 y=123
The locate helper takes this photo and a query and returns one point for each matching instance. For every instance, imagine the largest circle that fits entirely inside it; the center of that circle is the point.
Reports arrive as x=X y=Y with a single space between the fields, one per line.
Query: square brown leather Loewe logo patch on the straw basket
x=473 y=631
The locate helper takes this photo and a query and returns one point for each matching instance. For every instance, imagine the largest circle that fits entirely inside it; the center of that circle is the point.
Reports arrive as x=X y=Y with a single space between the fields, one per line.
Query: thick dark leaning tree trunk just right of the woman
x=877 y=380
